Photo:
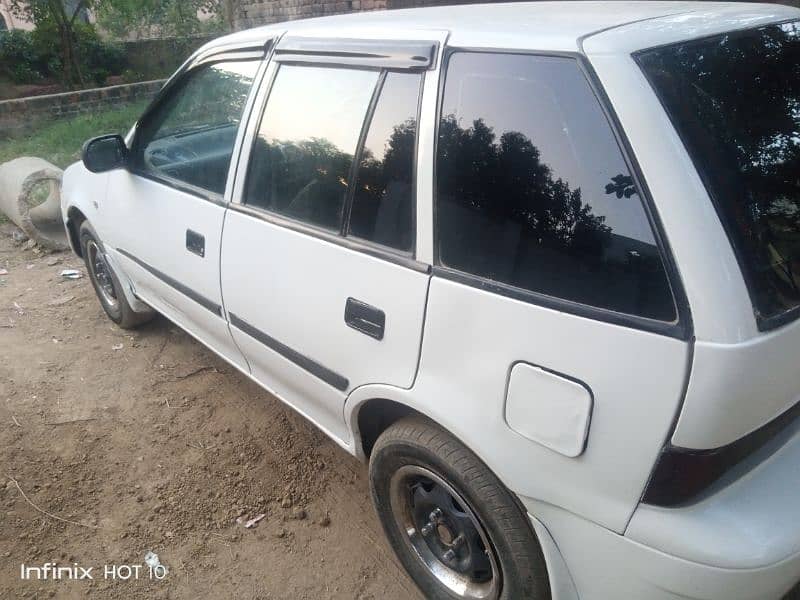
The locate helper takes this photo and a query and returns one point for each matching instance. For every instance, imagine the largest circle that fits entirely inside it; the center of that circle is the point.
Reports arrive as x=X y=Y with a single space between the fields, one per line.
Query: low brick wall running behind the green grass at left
x=20 y=113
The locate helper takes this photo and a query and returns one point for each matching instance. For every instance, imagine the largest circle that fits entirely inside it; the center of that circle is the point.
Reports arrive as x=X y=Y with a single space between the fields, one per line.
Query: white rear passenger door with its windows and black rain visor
x=319 y=272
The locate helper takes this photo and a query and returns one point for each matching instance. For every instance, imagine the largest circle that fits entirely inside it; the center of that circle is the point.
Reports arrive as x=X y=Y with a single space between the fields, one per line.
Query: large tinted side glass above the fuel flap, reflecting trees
x=533 y=191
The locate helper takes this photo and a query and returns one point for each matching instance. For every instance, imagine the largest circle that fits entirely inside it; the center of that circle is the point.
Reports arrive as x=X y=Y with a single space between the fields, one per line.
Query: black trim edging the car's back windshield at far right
x=763 y=324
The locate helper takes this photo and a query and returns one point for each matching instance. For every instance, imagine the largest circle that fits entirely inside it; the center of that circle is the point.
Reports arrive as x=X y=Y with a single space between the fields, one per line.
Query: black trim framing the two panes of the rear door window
x=393 y=255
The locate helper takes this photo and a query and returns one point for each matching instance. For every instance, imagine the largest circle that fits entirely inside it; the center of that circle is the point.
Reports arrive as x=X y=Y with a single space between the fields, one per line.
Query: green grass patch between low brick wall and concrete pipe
x=60 y=142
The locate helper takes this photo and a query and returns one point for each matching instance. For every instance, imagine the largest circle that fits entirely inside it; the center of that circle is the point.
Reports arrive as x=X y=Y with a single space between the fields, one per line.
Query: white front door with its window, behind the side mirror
x=168 y=208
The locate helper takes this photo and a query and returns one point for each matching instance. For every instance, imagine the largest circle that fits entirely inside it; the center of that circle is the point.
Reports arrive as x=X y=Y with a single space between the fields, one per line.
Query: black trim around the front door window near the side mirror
x=226 y=53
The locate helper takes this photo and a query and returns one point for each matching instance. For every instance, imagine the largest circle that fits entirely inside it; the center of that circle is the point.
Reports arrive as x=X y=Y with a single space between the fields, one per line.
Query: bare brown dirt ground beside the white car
x=146 y=441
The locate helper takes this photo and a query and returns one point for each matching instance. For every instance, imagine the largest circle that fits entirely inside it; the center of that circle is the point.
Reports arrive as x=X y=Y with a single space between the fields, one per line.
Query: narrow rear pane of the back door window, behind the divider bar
x=384 y=193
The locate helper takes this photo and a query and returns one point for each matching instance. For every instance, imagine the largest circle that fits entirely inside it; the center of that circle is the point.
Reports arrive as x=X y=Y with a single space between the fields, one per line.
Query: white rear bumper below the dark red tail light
x=741 y=543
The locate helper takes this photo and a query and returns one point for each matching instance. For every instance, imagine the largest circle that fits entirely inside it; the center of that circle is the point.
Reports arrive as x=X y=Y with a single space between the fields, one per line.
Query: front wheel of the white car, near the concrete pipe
x=106 y=283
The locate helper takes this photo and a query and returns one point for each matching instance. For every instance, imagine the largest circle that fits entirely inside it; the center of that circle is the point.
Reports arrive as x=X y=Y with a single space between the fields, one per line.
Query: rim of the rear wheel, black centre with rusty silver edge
x=444 y=533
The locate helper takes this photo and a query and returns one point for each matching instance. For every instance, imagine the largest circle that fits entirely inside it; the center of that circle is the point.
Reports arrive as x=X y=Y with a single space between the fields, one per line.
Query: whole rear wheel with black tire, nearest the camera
x=411 y=467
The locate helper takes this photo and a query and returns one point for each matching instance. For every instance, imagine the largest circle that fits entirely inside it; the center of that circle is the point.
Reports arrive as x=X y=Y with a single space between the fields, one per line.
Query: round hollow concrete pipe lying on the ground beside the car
x=30 y=195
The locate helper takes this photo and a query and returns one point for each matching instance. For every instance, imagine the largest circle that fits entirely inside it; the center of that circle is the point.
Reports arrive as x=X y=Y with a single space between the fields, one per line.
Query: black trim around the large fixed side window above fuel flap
x=681 y=328
